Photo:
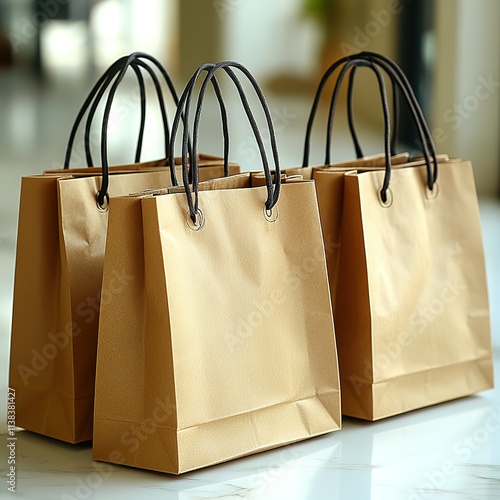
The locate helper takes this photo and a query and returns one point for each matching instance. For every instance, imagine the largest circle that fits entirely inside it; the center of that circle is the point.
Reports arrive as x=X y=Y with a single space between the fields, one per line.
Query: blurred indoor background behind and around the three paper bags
x=52 y=51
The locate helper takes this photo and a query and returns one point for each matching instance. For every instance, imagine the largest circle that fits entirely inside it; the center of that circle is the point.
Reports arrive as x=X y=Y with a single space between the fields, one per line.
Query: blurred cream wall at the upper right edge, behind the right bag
x=466 y=101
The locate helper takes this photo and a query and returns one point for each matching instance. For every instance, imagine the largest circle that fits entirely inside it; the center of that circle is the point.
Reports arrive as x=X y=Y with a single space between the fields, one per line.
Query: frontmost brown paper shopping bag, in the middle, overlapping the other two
x=223 y=344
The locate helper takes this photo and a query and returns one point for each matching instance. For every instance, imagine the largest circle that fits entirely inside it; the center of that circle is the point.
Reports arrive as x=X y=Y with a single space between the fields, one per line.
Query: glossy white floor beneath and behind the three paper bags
x=447 y=451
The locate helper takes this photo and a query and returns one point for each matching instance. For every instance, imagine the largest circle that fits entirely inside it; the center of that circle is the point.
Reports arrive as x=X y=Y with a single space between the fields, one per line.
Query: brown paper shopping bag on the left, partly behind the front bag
x=57 y=291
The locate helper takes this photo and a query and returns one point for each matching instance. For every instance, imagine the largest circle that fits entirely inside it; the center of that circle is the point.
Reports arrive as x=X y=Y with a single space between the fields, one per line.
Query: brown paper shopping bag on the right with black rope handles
x=412 y=317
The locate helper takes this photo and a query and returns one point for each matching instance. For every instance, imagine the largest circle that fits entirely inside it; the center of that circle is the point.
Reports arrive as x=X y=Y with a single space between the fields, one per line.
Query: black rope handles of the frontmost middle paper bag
x=184 y=105
